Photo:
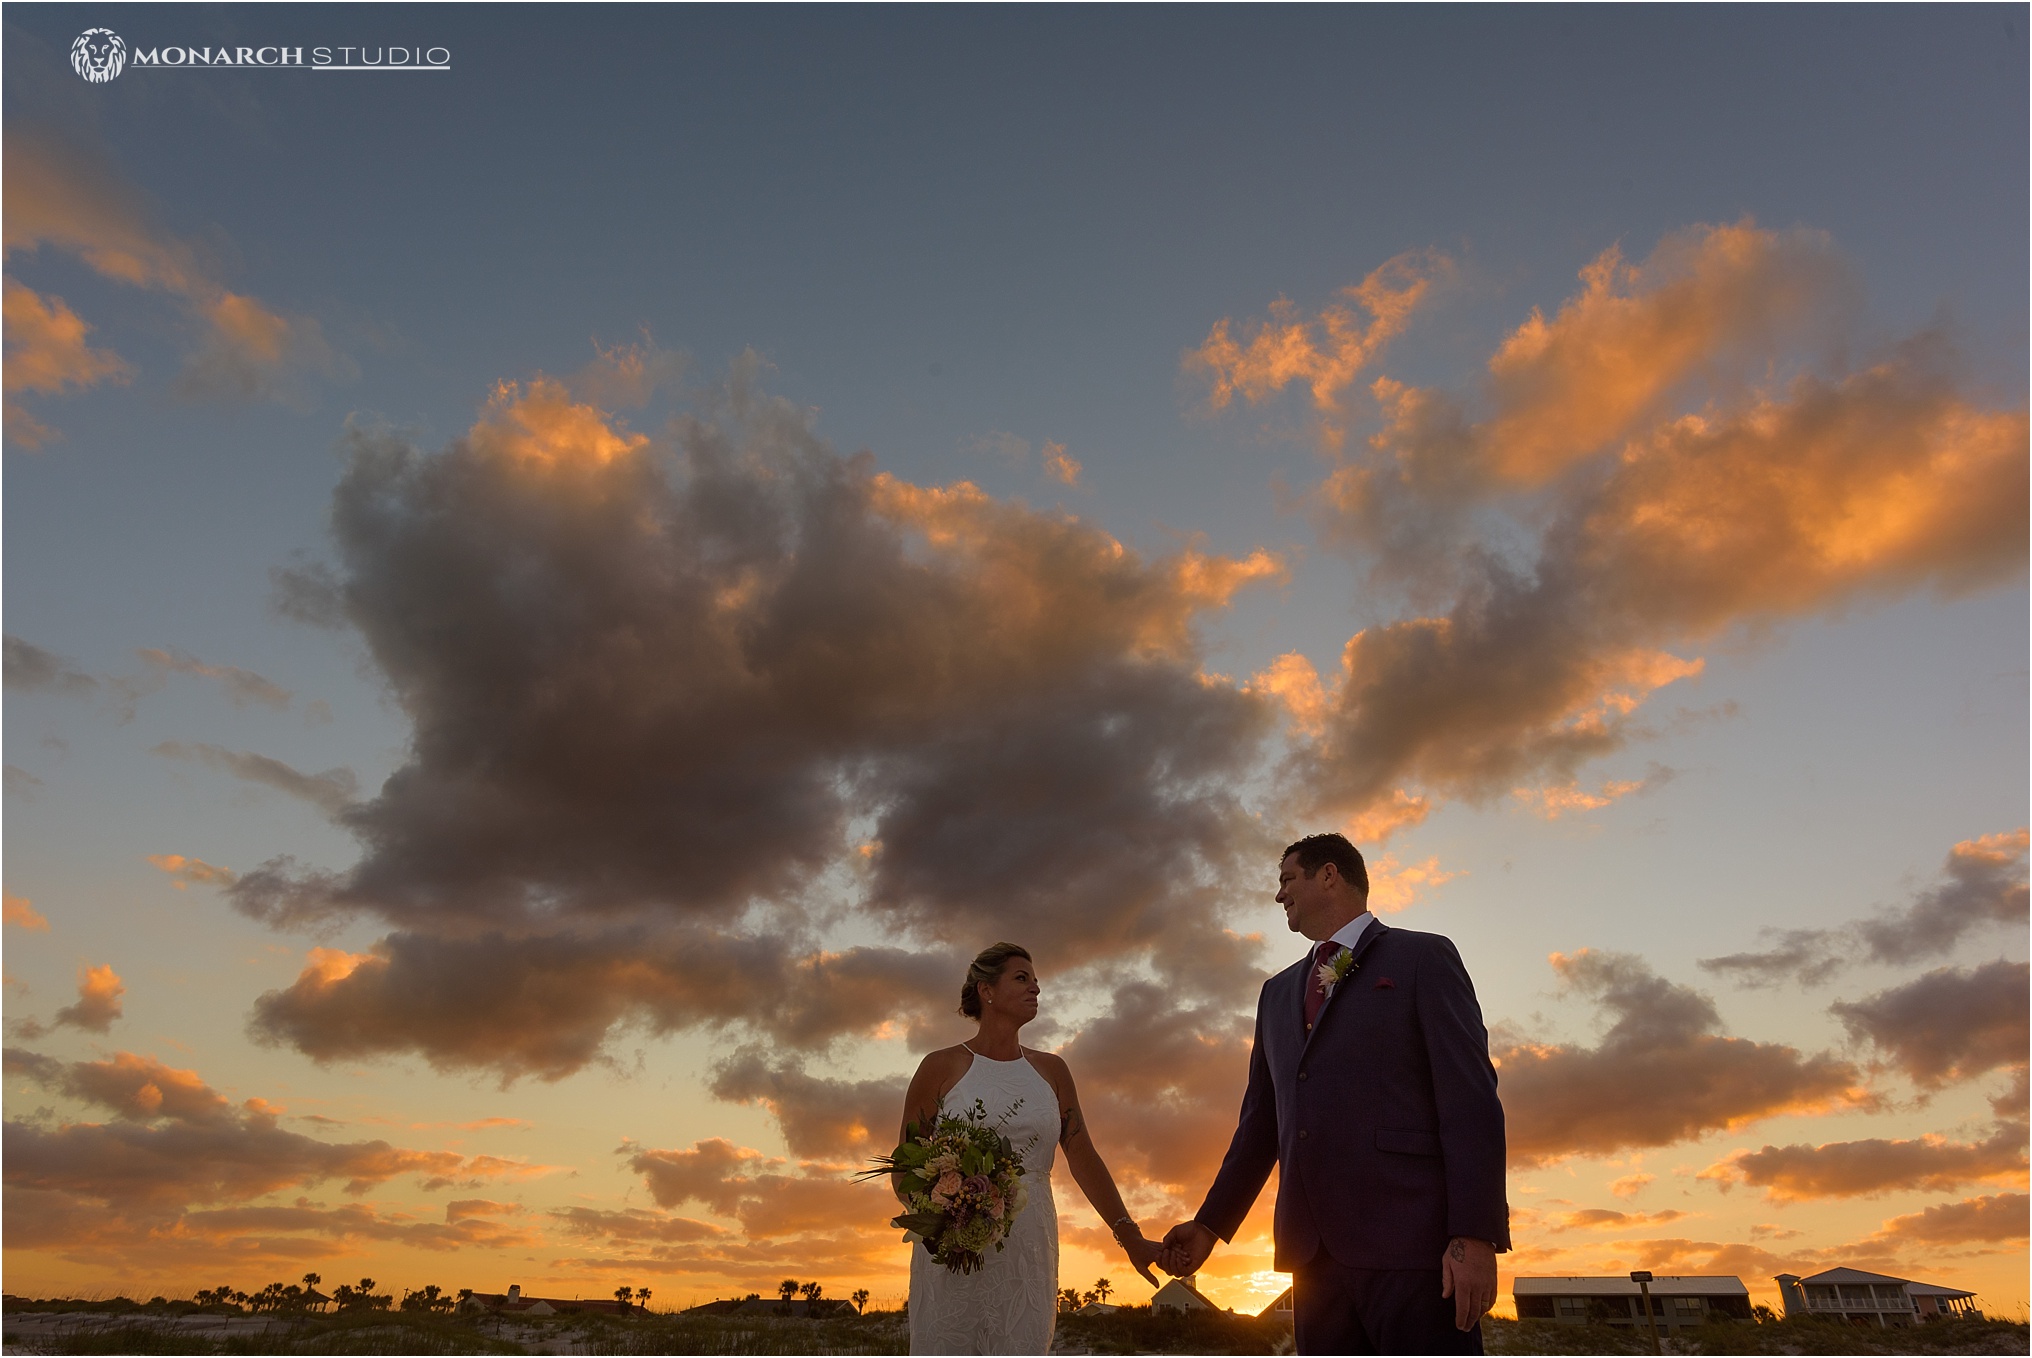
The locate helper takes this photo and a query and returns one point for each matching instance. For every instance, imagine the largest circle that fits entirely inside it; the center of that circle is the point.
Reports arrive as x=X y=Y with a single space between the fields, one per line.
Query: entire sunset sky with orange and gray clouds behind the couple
x=554 y=603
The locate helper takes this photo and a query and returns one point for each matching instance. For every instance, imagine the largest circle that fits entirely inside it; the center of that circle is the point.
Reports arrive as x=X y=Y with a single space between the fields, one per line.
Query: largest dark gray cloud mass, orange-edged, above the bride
x=680 y=702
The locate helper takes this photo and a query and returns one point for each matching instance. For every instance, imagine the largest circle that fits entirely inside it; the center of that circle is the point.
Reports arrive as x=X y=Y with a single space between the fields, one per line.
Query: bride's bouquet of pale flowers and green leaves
x=962 y=1182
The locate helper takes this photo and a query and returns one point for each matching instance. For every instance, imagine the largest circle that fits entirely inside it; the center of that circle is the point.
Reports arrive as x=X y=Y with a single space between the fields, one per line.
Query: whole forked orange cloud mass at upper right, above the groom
x=1710 y=501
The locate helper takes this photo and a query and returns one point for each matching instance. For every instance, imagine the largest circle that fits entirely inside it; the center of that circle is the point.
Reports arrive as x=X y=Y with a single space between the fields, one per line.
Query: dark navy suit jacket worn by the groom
x=1383 y=1121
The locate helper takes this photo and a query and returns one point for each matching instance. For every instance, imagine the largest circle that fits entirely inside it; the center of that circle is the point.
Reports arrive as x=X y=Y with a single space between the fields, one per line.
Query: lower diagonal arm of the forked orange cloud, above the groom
x=1879 y=485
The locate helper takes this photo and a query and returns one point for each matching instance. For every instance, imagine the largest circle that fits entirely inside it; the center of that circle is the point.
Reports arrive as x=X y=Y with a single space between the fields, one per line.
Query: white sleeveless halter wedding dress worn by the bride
x=1011 y=1304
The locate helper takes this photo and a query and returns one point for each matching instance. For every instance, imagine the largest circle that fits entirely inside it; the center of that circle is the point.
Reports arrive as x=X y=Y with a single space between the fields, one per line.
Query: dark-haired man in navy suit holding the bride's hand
x=1373 y=1093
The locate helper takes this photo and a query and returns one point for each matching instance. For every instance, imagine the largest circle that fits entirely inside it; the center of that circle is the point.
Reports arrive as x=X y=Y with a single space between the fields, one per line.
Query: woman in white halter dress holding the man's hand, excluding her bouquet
x=1011 y=1304
